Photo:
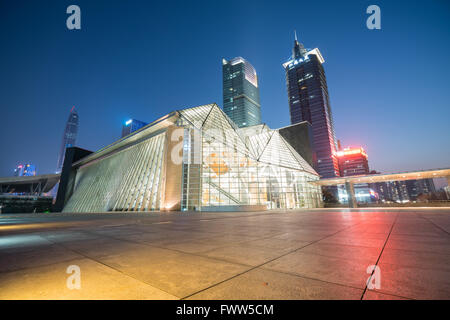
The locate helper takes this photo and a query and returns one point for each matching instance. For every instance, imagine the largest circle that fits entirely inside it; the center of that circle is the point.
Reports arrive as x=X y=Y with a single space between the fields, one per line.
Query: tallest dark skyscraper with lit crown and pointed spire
x=308 y=101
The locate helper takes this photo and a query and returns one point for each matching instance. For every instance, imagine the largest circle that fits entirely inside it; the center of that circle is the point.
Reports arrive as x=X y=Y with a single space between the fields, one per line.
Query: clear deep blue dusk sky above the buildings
x=389 y=88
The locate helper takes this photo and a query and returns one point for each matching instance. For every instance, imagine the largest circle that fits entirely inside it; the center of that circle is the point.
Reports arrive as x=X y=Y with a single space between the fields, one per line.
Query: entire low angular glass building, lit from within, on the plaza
x=194 y=159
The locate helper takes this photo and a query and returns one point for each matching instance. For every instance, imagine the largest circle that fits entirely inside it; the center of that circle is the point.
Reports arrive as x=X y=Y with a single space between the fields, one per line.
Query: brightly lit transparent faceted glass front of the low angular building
x=254 y=166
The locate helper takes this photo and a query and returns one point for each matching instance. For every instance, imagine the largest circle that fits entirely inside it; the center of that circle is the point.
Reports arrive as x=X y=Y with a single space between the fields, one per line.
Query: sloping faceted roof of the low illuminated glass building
x=258 y=142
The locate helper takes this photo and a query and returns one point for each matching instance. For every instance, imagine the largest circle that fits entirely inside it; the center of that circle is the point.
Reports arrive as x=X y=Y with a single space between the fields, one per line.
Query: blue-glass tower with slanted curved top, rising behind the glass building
x=241 y=92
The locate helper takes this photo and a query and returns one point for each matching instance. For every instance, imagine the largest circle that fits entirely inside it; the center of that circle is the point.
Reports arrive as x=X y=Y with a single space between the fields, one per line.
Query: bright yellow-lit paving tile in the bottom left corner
x=97 y=282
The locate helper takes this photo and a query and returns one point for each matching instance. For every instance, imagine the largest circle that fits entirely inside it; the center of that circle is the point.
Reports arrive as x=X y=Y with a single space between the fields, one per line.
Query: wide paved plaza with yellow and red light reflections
x=303 y=254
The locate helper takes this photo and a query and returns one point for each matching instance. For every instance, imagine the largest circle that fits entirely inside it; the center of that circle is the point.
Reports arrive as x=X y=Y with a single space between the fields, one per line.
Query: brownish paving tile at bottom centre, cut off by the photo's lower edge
x=264 y=284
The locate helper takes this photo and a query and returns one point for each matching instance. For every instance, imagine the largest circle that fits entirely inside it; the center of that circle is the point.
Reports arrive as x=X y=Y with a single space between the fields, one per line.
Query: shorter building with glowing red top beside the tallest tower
x=352 y=161
